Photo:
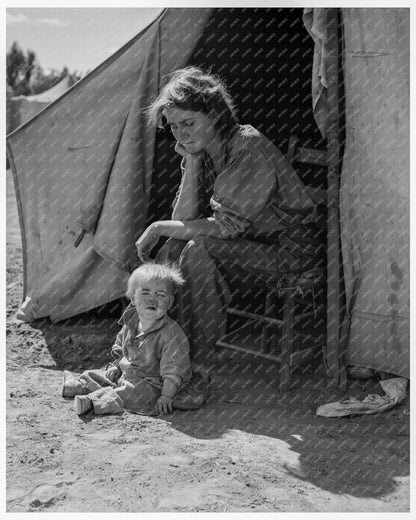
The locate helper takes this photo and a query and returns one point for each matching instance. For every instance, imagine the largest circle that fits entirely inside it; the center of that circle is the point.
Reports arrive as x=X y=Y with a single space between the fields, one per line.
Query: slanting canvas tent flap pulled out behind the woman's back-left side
x=84 y=164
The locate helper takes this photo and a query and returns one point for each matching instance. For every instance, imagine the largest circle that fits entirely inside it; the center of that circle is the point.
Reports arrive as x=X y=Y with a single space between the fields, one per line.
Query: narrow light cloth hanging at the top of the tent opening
x=315 y=21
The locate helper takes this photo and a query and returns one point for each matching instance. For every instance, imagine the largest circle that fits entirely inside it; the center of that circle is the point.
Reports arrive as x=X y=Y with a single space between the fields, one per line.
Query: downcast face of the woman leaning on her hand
x=195 y=131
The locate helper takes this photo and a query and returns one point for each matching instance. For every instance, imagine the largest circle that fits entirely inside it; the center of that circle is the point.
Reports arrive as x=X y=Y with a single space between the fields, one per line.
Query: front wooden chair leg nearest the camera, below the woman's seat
x=287 y=339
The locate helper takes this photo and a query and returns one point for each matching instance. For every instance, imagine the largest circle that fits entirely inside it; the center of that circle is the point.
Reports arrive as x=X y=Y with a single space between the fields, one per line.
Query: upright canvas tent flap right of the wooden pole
x=375 y=188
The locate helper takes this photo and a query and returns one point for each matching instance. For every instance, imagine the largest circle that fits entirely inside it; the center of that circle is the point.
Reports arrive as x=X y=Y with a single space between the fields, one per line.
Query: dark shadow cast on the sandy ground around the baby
x=359 y=455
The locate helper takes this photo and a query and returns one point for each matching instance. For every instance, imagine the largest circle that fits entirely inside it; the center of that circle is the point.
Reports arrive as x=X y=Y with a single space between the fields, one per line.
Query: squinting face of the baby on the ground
x=153 y=299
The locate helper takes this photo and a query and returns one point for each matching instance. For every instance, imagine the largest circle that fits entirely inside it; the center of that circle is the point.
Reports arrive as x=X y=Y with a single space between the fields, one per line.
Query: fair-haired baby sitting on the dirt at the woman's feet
x=151 y=373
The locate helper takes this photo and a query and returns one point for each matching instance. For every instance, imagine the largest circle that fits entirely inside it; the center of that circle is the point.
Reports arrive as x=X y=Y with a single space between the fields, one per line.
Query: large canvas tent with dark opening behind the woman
x=90 y=174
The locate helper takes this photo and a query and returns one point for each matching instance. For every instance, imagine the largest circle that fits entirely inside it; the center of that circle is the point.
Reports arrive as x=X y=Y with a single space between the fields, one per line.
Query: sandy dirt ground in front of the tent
x=250 y=448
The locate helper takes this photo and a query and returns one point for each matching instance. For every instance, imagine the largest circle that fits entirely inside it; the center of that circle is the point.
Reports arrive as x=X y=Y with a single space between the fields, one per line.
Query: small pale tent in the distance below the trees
x=20 y=109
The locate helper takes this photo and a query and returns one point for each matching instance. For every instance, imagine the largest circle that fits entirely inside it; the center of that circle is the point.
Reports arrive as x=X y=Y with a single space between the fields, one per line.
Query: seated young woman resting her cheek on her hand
x=240 y=211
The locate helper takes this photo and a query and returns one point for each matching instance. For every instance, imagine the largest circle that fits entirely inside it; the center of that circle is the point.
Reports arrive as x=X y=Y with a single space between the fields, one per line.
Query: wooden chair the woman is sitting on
x=295 y=291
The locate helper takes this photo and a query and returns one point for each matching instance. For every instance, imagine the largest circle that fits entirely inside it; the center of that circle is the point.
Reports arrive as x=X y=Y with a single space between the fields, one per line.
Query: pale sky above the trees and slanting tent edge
x=78 y=38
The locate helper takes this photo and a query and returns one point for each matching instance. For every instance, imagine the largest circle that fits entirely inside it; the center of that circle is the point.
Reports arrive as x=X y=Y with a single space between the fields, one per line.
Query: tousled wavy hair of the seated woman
x=193 y=89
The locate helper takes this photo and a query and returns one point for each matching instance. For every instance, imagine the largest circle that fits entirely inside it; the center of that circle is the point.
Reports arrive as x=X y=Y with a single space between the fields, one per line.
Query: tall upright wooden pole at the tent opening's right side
x=333 y=237
